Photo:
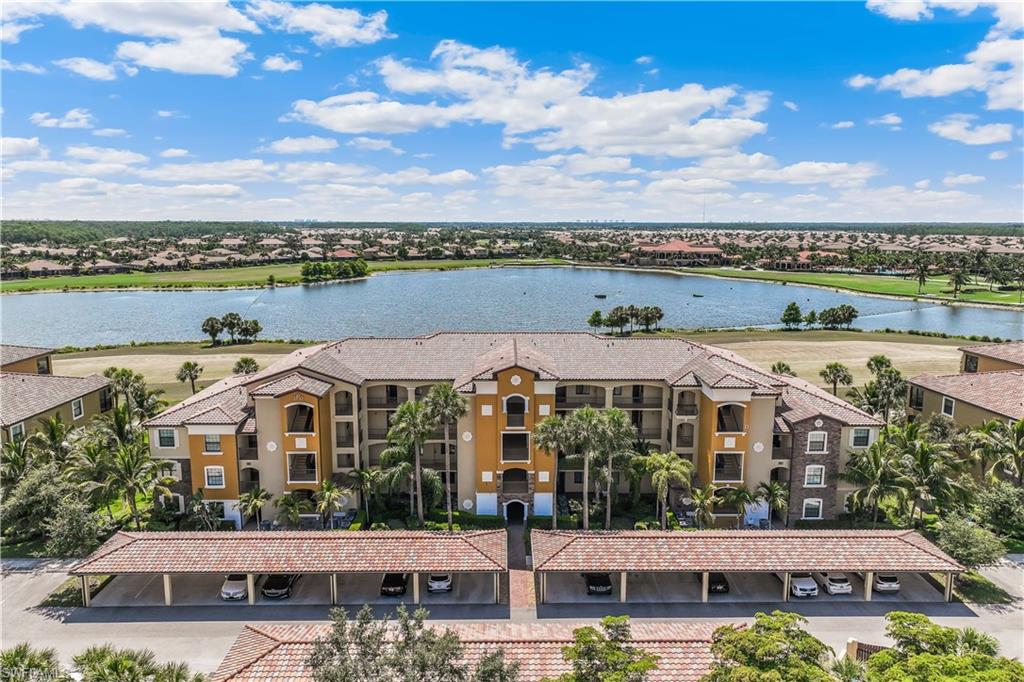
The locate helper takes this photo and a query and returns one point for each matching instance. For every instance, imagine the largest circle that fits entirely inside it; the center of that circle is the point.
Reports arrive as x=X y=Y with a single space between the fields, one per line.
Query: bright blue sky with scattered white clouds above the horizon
x=762 y=112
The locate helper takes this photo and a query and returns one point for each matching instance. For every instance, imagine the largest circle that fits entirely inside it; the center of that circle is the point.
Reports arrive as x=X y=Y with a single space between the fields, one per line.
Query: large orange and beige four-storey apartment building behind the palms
x=323 y=411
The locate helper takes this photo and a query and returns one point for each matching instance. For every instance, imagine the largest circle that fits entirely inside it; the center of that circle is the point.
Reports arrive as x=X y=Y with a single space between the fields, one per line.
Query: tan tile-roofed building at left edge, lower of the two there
x=27 y=400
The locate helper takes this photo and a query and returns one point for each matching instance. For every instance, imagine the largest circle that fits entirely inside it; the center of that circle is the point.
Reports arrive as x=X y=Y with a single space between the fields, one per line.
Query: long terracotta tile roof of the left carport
x=298 y=552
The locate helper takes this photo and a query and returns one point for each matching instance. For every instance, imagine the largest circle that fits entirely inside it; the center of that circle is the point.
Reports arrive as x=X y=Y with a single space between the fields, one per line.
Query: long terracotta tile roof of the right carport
x=746 y=551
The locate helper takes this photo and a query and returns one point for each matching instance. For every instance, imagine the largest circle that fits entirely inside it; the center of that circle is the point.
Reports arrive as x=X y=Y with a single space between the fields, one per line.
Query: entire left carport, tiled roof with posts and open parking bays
x=337 y=568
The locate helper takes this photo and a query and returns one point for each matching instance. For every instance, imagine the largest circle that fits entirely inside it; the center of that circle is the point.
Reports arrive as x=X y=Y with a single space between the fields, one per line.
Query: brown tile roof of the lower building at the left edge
x=25 y=396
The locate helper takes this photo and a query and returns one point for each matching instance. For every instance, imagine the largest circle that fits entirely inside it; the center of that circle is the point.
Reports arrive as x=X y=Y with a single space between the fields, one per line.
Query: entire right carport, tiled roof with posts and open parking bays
x=675 y=567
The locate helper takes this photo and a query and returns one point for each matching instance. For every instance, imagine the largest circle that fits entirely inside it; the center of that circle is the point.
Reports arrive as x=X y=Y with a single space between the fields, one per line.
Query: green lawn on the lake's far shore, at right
x=870 y=284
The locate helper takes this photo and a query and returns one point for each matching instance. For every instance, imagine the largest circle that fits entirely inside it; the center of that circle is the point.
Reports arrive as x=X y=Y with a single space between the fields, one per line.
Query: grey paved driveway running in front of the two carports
x=202 y=635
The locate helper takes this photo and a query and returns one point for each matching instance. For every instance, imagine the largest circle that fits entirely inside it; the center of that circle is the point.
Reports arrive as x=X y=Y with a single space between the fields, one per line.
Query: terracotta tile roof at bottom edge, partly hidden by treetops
x=280 y=652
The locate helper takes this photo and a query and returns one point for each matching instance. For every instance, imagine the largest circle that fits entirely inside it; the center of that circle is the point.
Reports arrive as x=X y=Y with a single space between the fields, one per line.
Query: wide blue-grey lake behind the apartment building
x=410 y=304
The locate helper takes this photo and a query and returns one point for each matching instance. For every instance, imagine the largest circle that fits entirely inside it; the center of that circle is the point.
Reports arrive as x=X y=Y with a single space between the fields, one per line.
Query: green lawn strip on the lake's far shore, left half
x=233 y=277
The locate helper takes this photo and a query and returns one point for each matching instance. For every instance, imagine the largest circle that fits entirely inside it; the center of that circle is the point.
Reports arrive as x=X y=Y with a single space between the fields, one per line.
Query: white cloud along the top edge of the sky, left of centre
x=330 y=27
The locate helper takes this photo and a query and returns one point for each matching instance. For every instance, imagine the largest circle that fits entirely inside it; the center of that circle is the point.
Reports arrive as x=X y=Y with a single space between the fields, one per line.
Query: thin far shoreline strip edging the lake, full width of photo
x=569 y=265
